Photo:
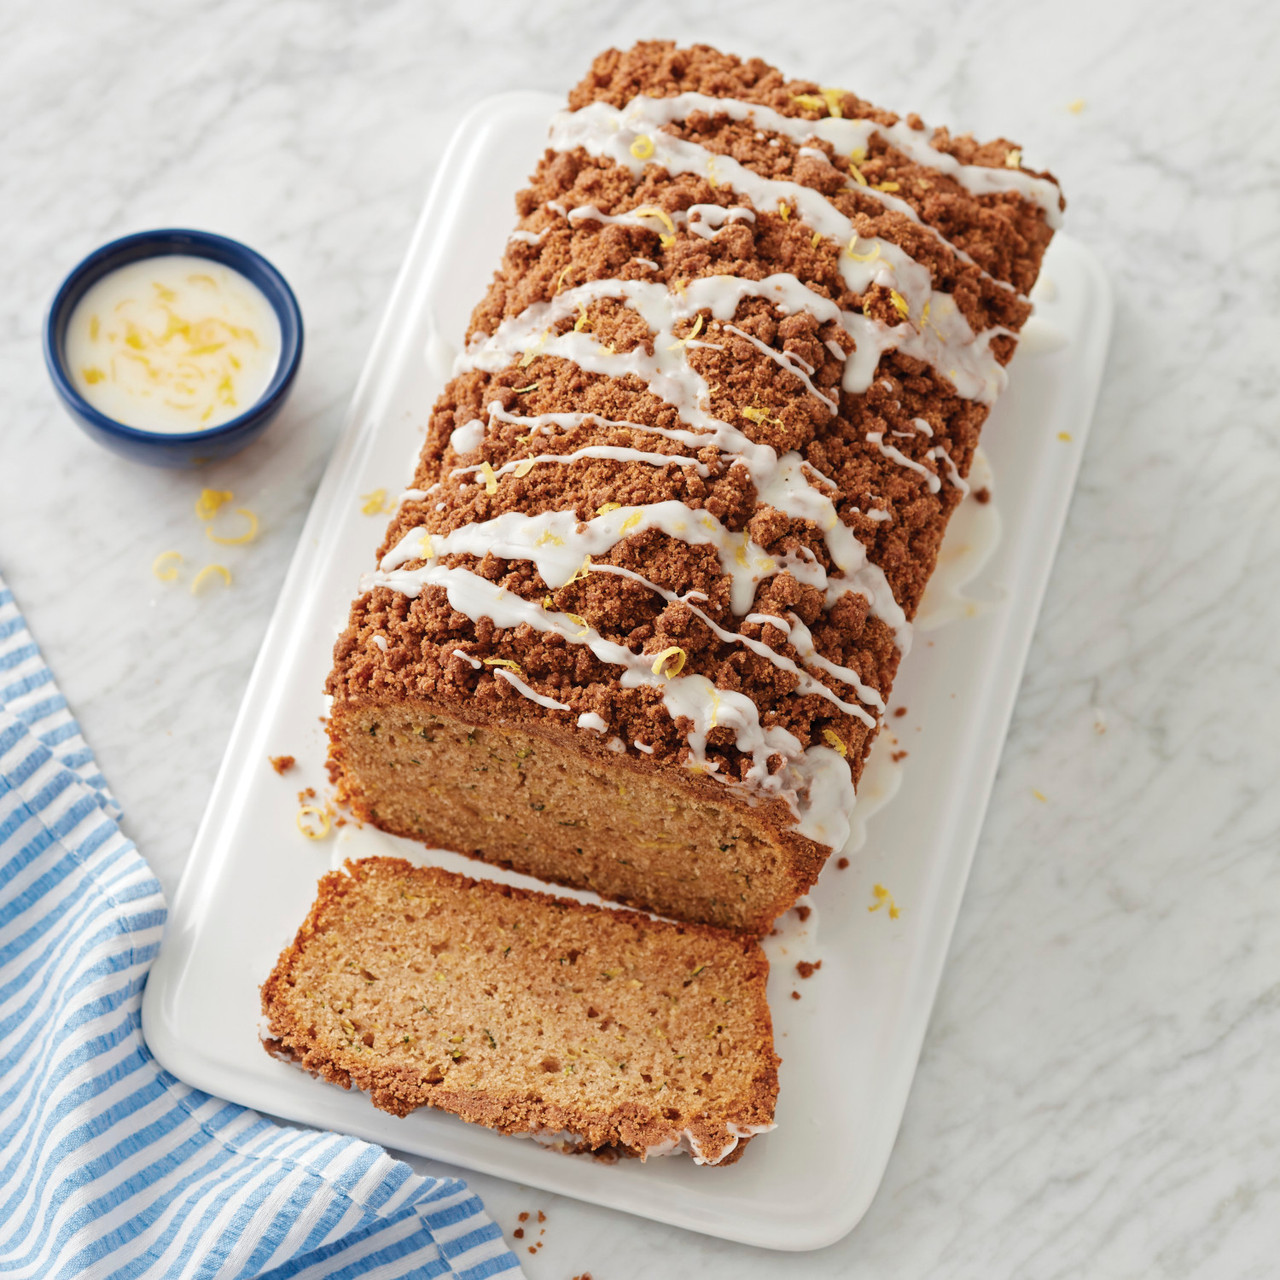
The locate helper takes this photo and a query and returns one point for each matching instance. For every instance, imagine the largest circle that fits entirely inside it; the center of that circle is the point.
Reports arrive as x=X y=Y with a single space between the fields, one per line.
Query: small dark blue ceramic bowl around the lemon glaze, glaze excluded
x=191 y=449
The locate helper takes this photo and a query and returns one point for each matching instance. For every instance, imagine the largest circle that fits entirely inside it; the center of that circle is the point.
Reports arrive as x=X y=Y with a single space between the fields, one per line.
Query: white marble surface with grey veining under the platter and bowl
x=1099 y=1094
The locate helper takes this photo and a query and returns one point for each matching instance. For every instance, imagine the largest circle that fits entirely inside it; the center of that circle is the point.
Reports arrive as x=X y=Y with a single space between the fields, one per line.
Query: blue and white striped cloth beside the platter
x=109 y=1167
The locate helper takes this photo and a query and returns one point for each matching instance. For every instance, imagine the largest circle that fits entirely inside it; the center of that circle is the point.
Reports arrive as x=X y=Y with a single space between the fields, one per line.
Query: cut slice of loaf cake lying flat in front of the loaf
x=583 y=1027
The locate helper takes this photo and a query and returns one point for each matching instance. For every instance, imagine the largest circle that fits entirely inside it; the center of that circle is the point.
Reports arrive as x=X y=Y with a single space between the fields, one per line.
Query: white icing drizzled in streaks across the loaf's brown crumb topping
x=815 y=781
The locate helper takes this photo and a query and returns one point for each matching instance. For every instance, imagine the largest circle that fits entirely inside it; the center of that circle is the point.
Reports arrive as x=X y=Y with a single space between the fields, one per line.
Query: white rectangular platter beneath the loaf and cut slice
x=851 y=1045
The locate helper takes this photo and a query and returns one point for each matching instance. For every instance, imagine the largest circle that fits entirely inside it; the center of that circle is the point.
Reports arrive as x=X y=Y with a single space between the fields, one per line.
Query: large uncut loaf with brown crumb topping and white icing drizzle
x=637 y=621
